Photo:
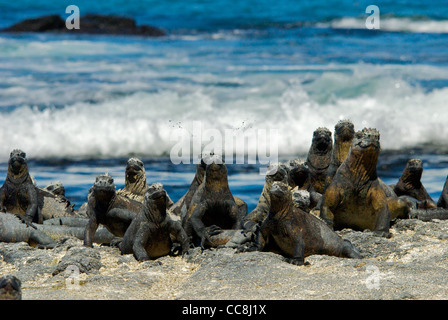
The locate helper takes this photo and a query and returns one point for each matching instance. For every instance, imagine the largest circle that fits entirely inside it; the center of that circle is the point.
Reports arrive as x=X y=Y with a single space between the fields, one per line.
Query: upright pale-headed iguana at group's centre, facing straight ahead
x=213 y=206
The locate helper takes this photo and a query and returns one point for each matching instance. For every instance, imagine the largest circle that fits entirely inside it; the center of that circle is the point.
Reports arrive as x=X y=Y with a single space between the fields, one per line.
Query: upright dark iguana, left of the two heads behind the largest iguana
x=319 y=158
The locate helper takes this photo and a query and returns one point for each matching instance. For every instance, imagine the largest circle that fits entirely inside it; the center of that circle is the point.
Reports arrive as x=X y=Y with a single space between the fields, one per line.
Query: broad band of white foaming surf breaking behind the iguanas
x=144 y=122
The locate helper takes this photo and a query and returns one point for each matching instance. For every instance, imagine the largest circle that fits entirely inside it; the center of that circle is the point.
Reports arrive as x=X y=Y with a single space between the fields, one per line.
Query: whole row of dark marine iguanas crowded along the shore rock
x=301 y=205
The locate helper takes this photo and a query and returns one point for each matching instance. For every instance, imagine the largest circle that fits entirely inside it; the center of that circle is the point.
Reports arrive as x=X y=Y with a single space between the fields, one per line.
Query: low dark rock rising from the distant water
x=89 y=24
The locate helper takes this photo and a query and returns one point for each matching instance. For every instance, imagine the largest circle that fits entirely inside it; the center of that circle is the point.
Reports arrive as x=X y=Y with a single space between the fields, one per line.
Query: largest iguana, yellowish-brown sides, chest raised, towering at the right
x=357 y=198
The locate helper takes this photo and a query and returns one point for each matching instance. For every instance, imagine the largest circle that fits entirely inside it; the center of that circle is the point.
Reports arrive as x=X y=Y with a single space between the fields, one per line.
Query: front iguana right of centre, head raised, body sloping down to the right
x=296 y=234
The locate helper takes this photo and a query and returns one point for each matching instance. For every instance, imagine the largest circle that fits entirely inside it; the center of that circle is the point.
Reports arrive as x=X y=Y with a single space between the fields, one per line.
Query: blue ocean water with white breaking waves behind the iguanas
x=81 y=105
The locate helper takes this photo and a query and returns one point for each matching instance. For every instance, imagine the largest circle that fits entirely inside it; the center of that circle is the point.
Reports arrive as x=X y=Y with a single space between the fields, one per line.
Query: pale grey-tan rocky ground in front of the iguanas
x=410 y=265
